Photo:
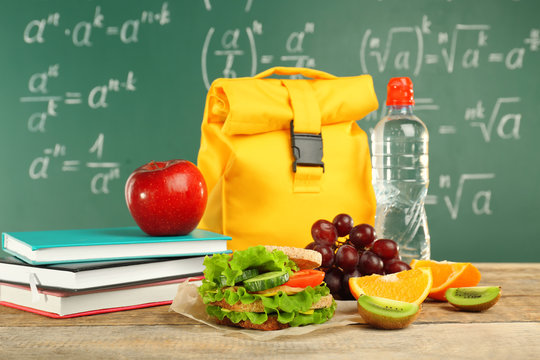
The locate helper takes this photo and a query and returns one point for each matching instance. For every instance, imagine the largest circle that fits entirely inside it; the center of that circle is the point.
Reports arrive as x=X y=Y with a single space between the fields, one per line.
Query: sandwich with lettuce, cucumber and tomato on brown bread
x=266 y=288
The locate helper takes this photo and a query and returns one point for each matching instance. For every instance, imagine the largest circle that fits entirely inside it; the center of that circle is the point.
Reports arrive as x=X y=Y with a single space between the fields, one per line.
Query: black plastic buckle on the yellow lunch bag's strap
x=307 y=149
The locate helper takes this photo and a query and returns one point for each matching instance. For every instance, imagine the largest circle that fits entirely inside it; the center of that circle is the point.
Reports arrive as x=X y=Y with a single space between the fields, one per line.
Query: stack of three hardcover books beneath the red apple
x=69 y=273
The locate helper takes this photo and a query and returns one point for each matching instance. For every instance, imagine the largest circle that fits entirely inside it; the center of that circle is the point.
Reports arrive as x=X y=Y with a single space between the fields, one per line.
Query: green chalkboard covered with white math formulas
x=90 y=90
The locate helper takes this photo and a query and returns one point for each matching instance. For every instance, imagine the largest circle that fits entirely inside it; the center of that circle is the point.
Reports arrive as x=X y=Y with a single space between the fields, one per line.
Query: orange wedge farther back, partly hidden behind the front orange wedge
x=447 y=274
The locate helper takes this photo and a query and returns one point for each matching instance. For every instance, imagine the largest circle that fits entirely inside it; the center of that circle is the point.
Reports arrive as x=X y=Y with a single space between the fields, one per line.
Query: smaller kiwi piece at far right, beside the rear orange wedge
x=478 y=298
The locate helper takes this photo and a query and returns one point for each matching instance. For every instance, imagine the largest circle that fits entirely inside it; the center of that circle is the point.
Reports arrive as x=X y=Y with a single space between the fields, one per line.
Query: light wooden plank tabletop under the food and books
x=509 y=330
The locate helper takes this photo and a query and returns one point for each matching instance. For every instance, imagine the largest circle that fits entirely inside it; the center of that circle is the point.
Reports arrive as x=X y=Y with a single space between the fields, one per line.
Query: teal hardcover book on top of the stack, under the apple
x=65 y=246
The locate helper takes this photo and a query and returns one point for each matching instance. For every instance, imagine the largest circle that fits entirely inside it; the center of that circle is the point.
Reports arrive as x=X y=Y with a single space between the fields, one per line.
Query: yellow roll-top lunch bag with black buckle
x=280 y=153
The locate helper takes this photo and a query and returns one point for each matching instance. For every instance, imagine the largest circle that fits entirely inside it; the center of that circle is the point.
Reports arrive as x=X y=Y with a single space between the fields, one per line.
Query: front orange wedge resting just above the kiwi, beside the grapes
x=410 y=285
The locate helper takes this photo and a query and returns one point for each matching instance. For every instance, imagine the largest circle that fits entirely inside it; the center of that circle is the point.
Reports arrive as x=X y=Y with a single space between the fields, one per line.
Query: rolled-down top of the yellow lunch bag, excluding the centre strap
x=248 y=106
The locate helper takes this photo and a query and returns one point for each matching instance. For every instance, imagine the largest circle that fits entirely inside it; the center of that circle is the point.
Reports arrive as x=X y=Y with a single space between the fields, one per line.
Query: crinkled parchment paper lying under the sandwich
x=188 y=303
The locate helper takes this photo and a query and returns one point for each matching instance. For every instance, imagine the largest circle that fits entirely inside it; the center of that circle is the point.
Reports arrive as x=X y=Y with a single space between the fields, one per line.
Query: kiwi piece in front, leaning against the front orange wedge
x=386 y=313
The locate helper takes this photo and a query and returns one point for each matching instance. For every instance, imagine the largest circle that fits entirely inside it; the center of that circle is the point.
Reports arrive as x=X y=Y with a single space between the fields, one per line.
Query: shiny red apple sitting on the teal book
x=166 y=197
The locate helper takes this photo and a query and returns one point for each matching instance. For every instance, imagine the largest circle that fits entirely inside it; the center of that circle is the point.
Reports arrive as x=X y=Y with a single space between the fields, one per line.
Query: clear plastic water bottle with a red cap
x=399 y=146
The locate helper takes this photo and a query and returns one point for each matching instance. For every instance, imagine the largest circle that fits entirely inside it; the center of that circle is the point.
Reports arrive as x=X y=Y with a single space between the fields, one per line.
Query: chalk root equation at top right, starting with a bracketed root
x=463 y=46
